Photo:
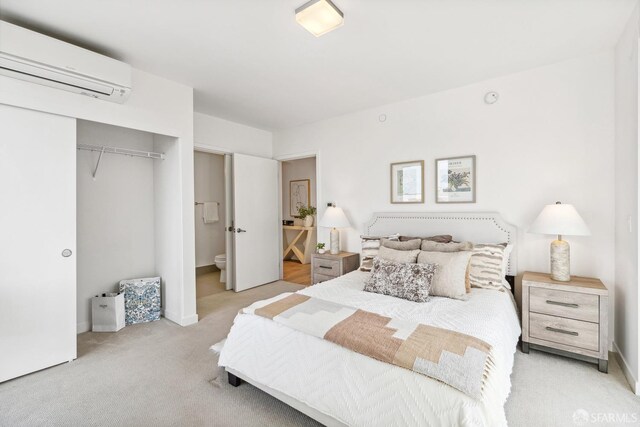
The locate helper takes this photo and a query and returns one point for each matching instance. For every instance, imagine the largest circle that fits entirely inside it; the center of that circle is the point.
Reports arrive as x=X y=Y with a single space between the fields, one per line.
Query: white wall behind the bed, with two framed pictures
x=550 y=137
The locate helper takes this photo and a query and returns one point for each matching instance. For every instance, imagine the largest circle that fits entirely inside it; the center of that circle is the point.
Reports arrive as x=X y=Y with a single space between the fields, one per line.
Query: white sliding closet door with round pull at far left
x=37 y=241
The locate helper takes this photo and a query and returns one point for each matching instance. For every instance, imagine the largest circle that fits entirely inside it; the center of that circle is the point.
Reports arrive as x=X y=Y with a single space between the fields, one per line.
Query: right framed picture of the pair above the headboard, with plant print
x=456 y=179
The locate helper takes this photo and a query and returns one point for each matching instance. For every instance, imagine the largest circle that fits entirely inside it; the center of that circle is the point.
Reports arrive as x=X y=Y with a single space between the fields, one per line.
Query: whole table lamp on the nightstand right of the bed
x=562 y=220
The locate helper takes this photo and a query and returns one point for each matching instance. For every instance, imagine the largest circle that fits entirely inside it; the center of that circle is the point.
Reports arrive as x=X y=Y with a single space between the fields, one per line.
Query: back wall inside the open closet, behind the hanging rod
x=115 y=214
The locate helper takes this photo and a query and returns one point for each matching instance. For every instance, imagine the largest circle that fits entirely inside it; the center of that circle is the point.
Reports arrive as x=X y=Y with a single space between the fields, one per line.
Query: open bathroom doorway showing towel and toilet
x=209 y=216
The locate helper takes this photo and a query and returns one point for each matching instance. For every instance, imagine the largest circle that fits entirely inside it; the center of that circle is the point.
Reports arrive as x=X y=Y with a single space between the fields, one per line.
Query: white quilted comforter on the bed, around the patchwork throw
x=361 y=391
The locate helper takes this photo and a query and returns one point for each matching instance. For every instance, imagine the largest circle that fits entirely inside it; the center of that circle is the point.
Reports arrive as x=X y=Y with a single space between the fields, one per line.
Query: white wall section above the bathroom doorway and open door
x=223 y=136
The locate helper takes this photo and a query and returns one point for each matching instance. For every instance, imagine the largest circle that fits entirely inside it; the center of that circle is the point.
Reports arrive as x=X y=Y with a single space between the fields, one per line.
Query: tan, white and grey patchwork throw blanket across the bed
x=459 y=360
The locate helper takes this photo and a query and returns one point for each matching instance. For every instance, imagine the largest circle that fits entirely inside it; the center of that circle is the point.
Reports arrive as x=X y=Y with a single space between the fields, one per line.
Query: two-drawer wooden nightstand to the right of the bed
x=571 y=317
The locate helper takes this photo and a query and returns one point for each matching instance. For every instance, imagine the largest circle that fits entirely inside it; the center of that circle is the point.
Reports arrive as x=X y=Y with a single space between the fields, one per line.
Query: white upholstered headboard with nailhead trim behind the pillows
x=482 y=227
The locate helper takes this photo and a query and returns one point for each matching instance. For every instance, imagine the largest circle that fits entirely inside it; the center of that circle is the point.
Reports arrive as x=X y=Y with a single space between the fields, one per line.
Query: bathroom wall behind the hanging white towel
x=209 y=187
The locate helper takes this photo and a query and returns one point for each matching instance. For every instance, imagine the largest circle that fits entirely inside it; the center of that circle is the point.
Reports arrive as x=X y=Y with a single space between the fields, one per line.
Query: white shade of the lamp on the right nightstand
x=560 y=219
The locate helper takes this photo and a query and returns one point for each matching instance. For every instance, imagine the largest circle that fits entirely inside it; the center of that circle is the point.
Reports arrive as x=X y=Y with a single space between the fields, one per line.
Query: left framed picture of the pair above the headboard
x=407 y=182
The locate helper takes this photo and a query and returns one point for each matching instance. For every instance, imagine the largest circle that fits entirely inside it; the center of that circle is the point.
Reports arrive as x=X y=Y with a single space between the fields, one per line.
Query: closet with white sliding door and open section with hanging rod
x=74 y=222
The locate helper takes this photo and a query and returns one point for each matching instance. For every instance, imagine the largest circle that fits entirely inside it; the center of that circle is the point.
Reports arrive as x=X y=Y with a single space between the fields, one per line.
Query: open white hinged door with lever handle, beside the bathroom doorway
x=256 y=258
